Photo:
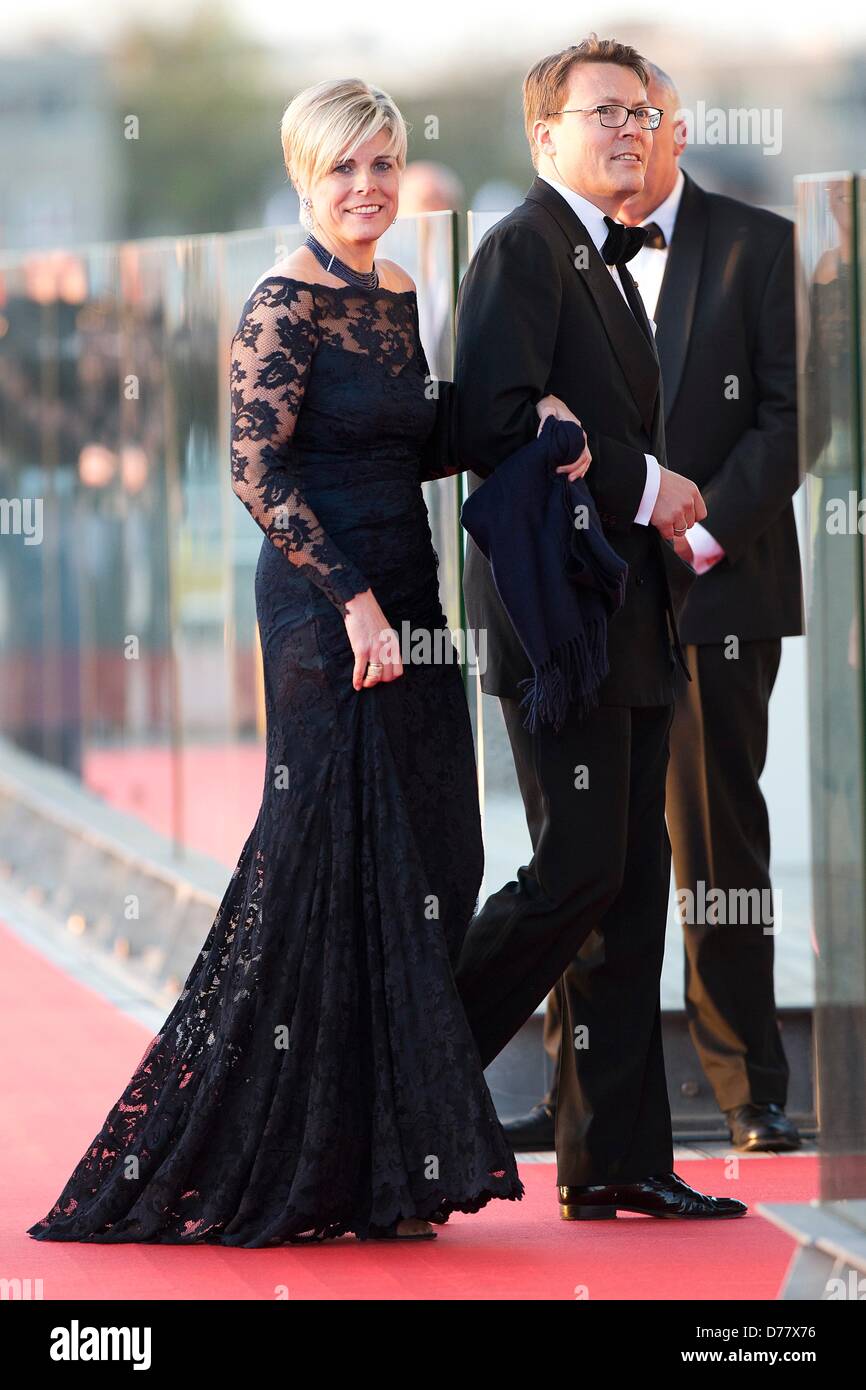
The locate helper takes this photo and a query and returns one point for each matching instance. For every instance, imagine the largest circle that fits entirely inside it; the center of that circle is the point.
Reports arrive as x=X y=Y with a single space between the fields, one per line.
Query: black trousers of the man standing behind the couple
x=721 y=836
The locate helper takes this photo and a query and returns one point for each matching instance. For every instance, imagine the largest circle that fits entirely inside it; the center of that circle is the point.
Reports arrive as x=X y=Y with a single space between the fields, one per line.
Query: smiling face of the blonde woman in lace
x=358 y=199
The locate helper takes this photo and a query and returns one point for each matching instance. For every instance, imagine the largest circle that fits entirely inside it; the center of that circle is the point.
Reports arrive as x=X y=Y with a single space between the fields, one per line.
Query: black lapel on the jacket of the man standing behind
x=679 y=293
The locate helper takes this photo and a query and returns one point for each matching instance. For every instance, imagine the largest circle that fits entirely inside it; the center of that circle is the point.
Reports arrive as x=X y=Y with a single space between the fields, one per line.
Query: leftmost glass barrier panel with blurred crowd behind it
x=84 y=616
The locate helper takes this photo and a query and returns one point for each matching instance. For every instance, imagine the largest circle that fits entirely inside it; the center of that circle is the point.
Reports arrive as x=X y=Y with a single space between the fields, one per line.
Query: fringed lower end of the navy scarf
x=571 y=676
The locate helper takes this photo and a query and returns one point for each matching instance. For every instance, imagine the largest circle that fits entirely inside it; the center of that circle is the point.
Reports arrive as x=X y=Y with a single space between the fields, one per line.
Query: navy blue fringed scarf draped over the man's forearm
x=554 y=571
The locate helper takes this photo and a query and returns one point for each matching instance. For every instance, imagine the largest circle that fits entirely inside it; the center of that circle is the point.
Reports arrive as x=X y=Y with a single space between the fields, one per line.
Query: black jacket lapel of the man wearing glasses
x=635 y=354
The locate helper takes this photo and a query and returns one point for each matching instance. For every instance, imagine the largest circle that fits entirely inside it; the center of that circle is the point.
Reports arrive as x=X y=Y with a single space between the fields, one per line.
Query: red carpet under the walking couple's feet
x=67 y=1054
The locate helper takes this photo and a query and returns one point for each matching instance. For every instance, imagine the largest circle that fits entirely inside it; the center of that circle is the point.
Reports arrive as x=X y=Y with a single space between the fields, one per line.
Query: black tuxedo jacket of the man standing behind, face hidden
x=726 y=309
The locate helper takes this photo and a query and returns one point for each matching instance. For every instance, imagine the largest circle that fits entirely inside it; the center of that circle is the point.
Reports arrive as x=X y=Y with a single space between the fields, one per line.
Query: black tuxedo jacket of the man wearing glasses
x=536 y=318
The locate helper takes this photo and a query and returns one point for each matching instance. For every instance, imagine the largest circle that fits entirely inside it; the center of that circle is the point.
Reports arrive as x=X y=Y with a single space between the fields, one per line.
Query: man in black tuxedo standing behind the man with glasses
x=718 y=279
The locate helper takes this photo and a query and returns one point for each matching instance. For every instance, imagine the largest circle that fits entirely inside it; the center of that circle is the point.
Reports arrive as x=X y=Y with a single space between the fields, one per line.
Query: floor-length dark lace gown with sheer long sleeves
x=318 y=1074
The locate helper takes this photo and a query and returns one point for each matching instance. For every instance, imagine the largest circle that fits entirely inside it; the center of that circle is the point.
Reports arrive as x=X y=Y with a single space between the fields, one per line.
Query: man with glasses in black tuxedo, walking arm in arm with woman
x=548 y=309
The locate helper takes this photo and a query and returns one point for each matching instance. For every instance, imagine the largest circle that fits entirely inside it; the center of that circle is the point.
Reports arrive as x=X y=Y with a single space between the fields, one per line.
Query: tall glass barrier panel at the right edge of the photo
x=832 y=458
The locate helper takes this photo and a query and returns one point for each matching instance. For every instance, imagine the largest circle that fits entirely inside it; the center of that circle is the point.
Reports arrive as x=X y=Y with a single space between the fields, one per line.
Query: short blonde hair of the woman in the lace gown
x=326 y=123
